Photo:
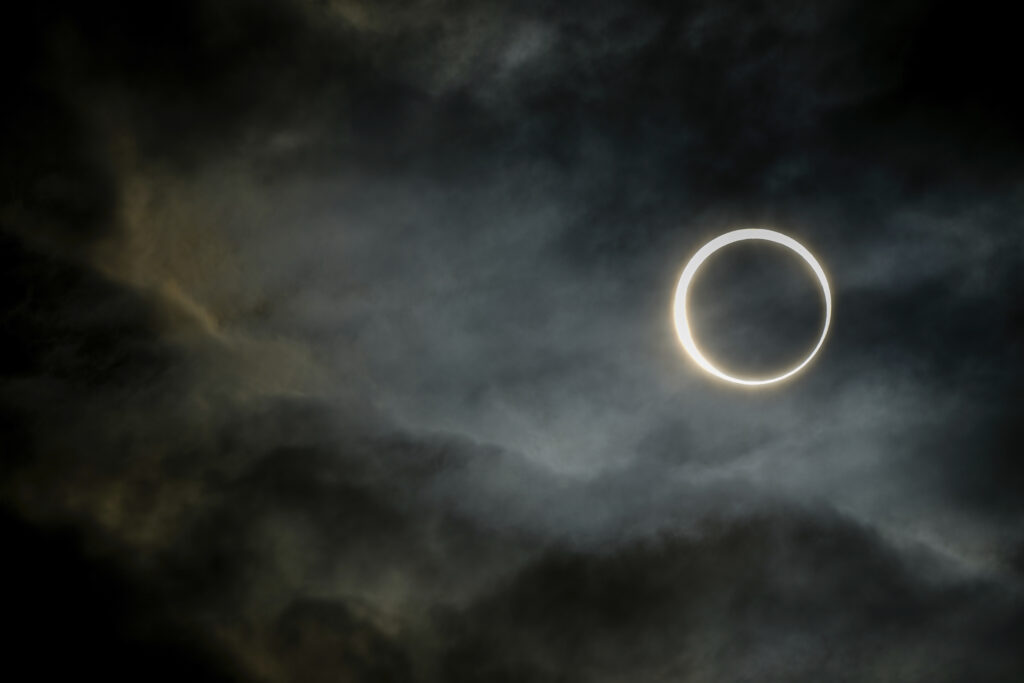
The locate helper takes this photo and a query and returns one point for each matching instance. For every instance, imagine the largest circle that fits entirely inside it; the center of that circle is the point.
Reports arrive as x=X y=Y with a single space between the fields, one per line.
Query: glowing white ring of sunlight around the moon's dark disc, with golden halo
x=682 y=322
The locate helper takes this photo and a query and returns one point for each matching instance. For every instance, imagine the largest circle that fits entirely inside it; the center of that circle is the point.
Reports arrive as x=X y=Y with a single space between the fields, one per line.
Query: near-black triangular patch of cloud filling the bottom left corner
x=70 y=613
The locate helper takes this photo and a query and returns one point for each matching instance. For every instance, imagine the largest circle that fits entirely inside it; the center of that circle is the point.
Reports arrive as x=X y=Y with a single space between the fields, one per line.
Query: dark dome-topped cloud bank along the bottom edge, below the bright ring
x=776 y=597
